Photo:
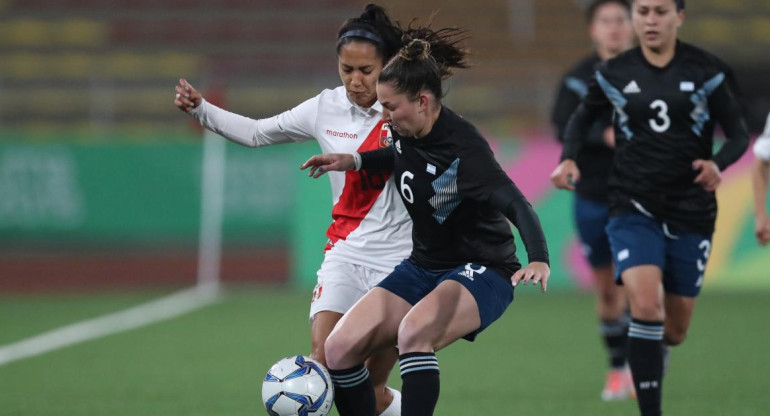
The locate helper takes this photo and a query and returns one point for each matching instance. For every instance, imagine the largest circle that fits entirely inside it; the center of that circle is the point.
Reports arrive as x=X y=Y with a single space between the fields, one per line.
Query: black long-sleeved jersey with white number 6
x=456 y=194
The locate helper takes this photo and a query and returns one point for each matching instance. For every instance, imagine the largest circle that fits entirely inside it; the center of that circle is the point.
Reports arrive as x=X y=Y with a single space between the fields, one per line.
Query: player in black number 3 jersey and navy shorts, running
x=667 y=97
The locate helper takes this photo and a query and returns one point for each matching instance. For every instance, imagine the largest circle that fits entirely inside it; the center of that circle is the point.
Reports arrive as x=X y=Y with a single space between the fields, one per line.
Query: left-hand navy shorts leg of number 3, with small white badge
x=636 y=240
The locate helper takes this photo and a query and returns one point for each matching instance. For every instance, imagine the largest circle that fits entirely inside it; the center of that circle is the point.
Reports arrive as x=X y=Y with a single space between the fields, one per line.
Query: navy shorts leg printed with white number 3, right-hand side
x=686 y=258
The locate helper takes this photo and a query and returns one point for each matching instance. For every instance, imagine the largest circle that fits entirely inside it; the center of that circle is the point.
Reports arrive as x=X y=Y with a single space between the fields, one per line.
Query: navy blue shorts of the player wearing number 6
x=493 y=292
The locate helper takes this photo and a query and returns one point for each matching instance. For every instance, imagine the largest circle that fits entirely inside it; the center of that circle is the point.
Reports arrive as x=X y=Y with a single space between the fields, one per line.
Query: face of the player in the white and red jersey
x=359 y=66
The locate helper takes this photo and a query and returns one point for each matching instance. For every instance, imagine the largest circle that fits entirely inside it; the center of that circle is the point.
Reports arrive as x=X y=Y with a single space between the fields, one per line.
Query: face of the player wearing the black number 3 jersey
x=656 y=22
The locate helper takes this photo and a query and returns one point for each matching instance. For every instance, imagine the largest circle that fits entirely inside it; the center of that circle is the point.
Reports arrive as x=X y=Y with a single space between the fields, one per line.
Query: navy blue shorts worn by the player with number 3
x=638 y=240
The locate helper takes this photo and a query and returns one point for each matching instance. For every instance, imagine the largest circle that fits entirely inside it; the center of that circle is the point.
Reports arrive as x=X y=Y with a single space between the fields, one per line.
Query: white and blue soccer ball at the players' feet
x=297 y=386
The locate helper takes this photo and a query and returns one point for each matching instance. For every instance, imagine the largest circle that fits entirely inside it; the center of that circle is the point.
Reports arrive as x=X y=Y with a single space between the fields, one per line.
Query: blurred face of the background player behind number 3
x=611 y=28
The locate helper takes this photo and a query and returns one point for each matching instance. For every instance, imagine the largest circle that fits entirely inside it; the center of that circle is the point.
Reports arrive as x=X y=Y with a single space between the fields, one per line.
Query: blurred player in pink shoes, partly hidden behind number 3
x=611 y=32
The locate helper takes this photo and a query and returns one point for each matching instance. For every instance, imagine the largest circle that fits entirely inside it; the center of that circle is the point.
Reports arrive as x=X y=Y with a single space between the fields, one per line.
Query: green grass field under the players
x=542 y=358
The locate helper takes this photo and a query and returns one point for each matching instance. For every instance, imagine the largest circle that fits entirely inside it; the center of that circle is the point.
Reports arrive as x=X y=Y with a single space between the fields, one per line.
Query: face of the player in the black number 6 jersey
x=406 y=117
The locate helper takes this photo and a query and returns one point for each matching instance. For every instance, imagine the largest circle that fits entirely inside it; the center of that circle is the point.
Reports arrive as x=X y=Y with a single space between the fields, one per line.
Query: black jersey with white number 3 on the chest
x=664 y=120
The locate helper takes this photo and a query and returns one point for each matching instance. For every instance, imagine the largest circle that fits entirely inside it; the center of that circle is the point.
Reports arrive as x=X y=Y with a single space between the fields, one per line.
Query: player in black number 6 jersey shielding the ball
x=459 y=277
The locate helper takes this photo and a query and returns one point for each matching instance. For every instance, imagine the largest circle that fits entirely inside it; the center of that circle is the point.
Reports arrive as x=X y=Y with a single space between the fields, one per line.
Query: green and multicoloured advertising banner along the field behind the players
x=148 y=191
